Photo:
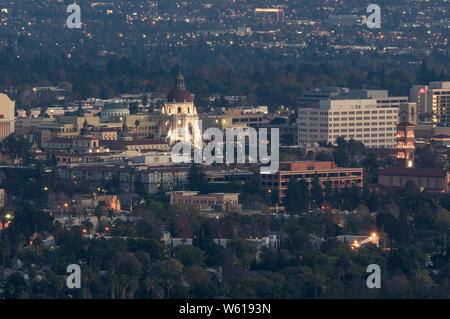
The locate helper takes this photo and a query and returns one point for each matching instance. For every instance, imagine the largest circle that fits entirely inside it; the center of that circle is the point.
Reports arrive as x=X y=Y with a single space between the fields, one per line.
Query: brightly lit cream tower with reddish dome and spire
x=180 y=116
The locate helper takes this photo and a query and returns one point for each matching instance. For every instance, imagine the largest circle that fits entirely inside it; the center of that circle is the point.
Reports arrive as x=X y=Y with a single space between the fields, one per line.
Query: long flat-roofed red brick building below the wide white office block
x=330 y=175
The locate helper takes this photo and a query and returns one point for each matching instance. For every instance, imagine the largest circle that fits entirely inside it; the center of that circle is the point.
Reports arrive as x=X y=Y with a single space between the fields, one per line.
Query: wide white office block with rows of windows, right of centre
x=369 y=121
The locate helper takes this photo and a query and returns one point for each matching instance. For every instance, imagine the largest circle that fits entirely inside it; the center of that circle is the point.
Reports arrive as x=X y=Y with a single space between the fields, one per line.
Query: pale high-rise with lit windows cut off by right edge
x=433 y=99
